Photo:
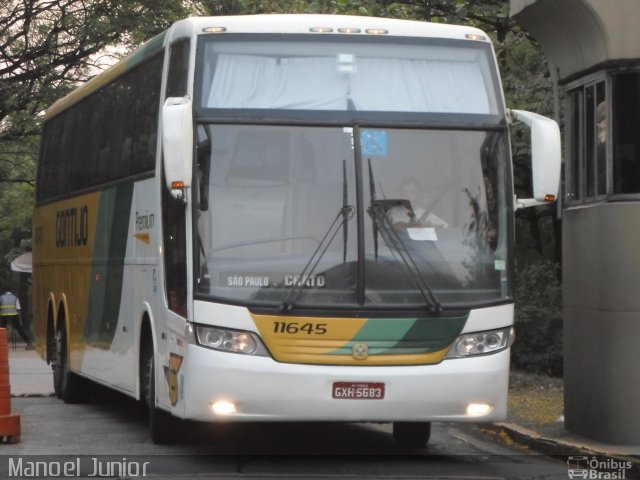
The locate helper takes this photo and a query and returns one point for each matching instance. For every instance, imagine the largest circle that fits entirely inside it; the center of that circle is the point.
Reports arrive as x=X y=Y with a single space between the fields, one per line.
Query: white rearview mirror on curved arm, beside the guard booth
x=545 y=158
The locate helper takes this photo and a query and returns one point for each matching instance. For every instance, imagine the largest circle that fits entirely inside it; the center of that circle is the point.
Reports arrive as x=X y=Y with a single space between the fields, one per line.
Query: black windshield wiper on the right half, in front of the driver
x=378 y=211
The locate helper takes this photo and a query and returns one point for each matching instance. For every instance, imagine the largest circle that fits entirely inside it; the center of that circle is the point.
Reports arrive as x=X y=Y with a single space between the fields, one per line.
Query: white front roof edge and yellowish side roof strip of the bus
x=270 y=23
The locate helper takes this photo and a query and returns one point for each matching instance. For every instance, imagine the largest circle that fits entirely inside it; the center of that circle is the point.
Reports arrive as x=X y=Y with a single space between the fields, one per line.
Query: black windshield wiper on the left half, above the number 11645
x=345 y=213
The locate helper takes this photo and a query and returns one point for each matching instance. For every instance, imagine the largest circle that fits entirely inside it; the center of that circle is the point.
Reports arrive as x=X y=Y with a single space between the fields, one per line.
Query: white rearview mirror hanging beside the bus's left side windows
x=177 y=144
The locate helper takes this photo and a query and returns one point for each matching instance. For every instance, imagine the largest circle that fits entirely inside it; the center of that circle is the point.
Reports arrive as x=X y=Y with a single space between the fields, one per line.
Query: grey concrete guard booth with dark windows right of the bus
x=593 y=49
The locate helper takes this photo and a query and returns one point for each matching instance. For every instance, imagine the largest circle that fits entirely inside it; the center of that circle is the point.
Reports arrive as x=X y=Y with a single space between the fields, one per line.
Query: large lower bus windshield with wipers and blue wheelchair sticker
x=322 y=216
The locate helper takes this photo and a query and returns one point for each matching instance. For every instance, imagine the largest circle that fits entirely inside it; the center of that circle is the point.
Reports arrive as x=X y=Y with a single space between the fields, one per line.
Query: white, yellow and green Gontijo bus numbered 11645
x=287 y=218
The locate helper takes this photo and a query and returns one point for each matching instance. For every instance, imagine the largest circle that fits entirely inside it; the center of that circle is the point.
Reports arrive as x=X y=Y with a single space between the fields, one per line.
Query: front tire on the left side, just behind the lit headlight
x=161 y=423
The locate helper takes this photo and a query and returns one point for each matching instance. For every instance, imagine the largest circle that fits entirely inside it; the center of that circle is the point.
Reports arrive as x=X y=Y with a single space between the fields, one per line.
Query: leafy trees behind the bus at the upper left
x=47 y=47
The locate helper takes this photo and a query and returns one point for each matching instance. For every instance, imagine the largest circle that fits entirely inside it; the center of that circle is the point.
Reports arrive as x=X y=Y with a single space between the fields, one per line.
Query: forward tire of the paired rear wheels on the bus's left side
x=67 y=385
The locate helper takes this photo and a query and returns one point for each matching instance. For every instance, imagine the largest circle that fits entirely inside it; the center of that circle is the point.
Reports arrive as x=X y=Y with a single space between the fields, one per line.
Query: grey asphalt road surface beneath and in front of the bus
x=111 y=440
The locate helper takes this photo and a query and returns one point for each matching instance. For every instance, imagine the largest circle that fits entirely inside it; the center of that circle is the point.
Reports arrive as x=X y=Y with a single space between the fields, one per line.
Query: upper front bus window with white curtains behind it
x=362 y=74
